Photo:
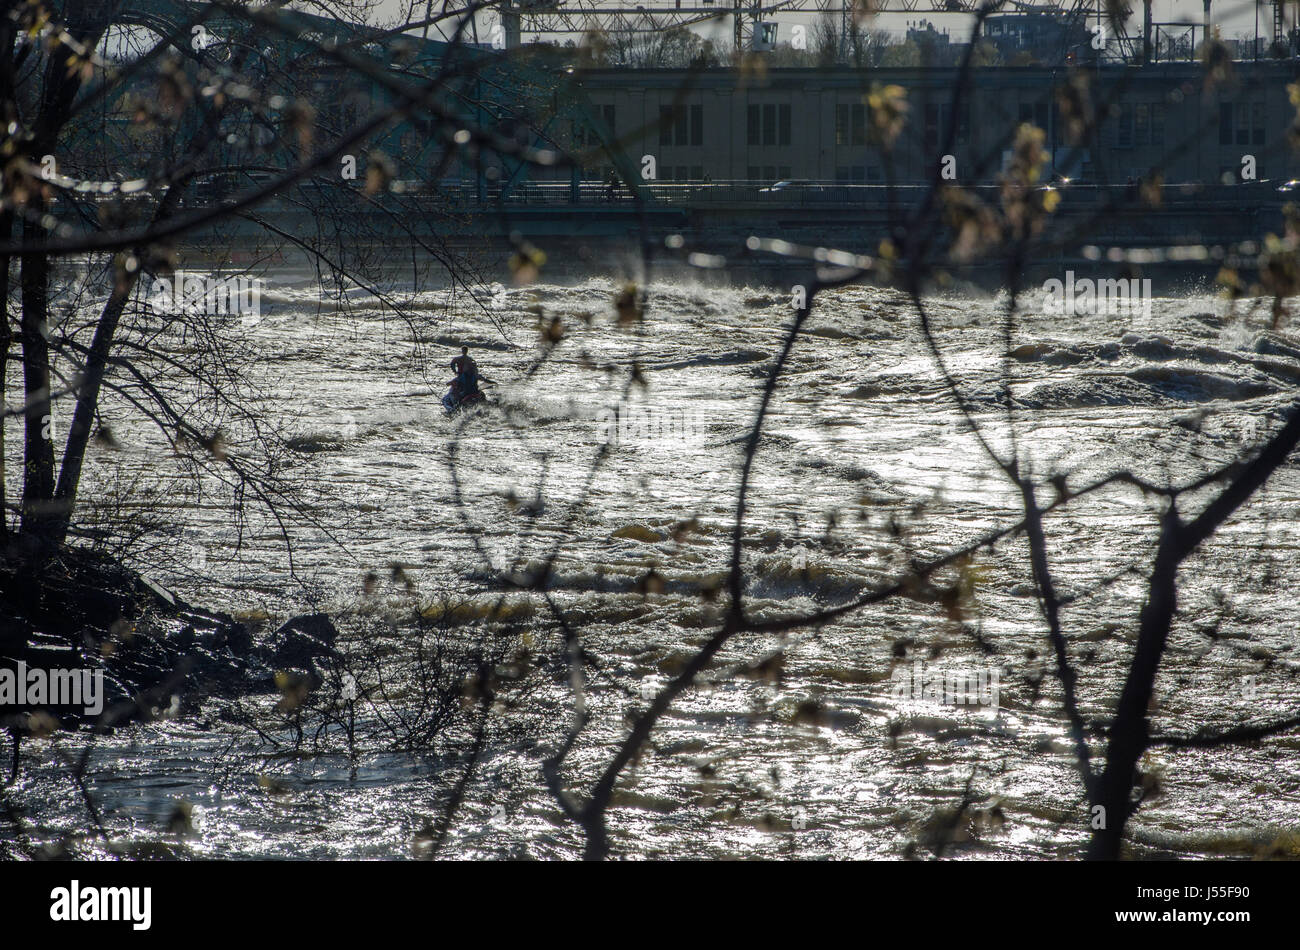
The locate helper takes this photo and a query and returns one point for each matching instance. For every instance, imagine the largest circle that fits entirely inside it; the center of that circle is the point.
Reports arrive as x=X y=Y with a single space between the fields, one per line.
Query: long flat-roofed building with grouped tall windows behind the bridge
x=814 y=124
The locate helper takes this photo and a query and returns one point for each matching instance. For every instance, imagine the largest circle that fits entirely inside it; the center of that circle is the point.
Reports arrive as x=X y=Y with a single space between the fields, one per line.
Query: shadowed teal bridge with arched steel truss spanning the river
x=543 y=96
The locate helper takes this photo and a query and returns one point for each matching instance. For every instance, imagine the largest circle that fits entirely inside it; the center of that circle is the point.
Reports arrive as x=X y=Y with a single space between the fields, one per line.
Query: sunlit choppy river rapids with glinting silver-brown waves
x=866 y=462
